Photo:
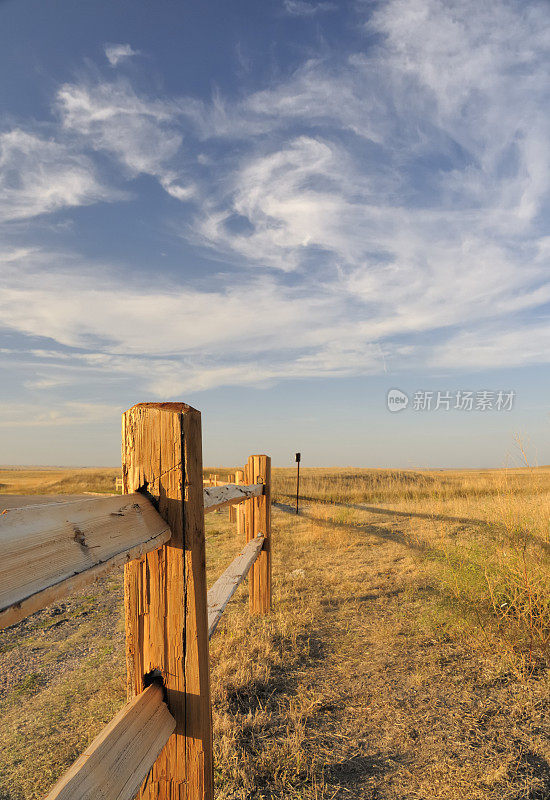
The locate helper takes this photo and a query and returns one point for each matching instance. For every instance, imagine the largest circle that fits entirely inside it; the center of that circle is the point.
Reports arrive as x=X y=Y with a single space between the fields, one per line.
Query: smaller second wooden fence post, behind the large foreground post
x=258 y=520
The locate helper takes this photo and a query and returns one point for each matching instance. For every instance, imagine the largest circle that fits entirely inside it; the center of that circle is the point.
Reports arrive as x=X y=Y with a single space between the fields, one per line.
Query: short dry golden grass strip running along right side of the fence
x=363 y=684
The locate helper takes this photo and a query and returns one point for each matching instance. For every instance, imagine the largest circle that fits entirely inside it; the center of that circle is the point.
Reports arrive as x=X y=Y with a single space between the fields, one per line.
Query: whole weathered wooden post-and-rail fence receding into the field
x=159 y=746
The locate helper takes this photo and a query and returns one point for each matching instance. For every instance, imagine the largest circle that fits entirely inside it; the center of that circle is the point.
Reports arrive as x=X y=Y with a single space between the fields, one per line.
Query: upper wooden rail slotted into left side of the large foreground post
x=50 y=550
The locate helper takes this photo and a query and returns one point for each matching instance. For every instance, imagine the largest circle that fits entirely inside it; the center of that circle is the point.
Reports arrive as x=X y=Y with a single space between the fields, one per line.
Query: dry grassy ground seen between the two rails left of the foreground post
x=61 y=680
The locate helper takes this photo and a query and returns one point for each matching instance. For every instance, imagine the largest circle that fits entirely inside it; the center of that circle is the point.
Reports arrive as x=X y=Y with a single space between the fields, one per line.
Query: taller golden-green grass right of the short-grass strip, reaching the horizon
x=487 y=532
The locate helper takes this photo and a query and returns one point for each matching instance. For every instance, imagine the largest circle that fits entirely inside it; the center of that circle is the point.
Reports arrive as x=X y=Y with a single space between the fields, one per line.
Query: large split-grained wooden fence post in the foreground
x=165 y=594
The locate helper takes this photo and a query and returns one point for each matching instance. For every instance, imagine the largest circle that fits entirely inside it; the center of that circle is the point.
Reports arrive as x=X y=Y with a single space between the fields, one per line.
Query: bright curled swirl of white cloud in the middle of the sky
x=284 y=202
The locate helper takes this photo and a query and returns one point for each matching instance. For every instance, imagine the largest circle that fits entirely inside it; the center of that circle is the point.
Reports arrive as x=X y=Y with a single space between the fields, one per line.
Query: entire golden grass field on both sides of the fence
x=407 y=655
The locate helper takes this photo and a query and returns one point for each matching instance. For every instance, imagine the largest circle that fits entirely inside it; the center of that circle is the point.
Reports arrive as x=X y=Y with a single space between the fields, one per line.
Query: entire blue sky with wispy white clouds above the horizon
x=276 y=212
